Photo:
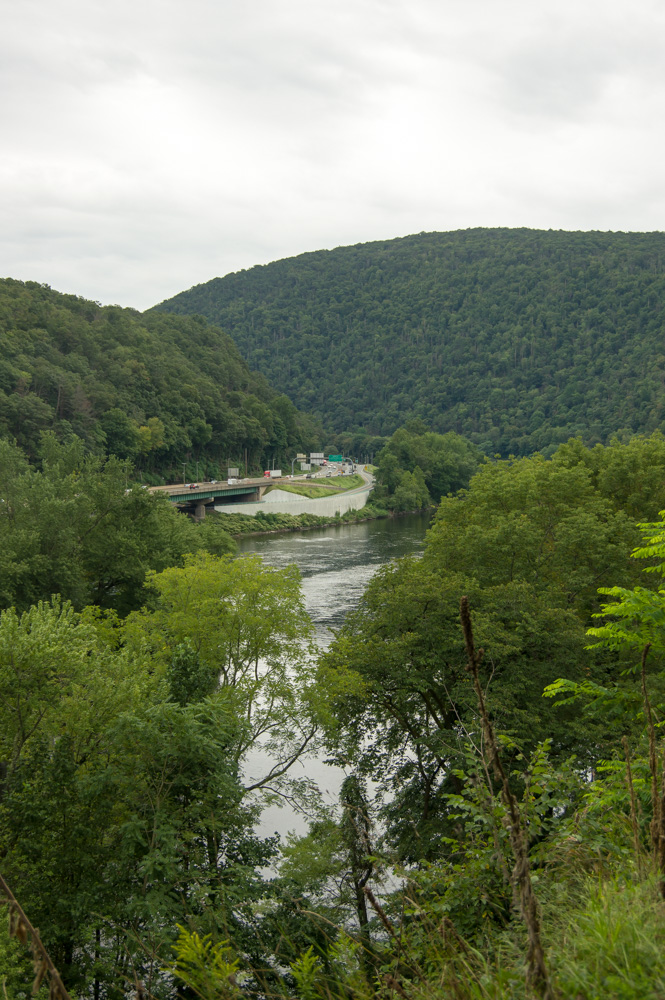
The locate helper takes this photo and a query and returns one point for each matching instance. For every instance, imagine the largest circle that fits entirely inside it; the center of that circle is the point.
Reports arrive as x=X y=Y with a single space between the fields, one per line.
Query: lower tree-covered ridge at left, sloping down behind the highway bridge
x=157 y=389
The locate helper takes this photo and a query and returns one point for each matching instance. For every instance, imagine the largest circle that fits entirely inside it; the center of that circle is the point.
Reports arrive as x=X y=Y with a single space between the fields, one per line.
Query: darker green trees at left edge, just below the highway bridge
x=73 y=528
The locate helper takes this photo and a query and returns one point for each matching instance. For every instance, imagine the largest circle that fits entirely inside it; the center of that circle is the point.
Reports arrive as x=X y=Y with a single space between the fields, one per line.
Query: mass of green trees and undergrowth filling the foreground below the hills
x=130 y=717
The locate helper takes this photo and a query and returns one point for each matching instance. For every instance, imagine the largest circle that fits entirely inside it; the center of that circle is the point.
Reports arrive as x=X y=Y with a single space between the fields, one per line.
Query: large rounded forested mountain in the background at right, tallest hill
x=518 y=339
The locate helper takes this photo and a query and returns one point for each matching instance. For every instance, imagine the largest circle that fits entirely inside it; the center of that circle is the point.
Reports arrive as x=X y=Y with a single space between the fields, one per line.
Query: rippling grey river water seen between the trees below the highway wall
x=336 y=564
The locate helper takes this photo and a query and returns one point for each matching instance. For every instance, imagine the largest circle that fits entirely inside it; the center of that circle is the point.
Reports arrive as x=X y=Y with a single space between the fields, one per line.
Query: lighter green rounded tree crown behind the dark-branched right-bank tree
x=537 y=521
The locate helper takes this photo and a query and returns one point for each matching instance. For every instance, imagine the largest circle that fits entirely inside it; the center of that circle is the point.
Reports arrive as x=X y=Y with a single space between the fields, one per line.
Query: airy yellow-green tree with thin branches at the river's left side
x=247 y=625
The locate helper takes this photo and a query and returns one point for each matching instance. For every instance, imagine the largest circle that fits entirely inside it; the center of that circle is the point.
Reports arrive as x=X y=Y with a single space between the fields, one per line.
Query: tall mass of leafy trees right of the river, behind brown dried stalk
x=529 y=542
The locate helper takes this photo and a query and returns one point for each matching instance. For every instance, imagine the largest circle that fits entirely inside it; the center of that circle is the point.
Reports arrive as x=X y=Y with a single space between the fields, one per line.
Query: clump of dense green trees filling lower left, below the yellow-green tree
x=121 y=812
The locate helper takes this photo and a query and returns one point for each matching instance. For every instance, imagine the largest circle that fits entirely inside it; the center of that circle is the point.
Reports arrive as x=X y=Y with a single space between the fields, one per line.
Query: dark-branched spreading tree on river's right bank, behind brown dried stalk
x=405 y=708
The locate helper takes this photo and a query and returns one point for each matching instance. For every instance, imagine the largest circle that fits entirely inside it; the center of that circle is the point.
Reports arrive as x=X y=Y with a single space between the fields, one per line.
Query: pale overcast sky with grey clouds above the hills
x=149 y=145
